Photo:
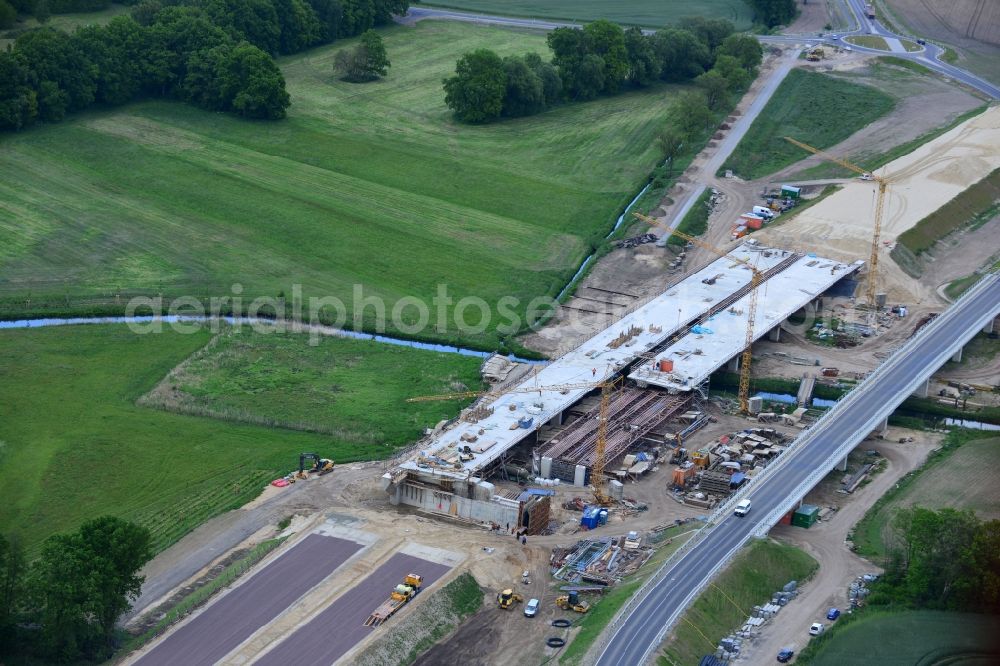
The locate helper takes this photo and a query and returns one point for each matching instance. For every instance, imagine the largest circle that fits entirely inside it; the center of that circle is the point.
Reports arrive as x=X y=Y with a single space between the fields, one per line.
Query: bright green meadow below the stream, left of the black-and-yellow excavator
x=73 y=444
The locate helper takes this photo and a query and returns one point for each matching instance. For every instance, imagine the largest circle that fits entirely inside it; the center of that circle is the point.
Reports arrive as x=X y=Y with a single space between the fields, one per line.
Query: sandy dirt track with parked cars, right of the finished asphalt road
x=825 y=541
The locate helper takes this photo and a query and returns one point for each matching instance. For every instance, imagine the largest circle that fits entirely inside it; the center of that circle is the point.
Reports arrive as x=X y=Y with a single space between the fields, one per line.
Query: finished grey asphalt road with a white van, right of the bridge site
x=642 y=630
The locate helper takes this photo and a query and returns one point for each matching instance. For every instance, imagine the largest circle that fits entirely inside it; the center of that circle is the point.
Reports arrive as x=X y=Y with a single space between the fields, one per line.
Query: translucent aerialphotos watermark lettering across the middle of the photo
x=410 y=315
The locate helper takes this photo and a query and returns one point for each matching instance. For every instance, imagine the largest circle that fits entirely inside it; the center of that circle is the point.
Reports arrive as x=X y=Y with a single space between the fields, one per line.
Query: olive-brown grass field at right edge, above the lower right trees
x=959 y=475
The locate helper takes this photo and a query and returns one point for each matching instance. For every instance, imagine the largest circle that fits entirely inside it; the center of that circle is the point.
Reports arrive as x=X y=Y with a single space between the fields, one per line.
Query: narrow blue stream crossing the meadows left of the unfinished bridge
x=325 y=330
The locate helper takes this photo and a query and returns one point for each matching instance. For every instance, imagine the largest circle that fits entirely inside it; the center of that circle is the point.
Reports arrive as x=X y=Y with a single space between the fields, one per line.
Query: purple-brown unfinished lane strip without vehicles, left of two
x=237 y=615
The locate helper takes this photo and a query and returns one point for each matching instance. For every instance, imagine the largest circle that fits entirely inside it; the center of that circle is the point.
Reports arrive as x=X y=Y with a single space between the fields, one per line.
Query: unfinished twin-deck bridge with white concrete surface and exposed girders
x=636 y=387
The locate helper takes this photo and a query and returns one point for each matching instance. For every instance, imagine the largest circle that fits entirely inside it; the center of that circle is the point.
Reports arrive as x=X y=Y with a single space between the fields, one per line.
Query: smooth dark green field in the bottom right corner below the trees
x=928 y=638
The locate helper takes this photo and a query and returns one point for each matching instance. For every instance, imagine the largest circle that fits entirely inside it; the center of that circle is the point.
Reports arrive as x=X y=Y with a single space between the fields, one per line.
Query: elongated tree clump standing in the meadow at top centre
x=602 y=58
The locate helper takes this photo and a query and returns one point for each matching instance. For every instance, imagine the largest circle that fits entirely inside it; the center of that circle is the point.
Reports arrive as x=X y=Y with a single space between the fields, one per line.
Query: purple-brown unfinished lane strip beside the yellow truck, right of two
x=340 y=626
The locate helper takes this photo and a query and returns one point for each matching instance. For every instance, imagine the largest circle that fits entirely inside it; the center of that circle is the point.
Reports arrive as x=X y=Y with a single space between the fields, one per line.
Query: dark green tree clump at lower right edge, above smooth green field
x=945 y=560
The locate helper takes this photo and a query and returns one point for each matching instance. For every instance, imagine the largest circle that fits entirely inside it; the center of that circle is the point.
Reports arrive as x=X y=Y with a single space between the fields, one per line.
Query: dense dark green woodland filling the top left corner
x=215 y=54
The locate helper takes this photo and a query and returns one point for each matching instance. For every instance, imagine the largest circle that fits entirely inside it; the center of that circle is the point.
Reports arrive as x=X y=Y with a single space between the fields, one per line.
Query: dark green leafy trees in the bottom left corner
x=64 y=606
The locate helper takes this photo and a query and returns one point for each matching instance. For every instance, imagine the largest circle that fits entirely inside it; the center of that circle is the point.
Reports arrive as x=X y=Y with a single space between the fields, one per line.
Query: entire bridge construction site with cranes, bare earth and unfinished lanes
x=562 y=479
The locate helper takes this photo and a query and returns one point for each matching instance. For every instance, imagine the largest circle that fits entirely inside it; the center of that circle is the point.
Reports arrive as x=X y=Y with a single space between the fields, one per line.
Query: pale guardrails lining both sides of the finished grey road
x=791 y=452
